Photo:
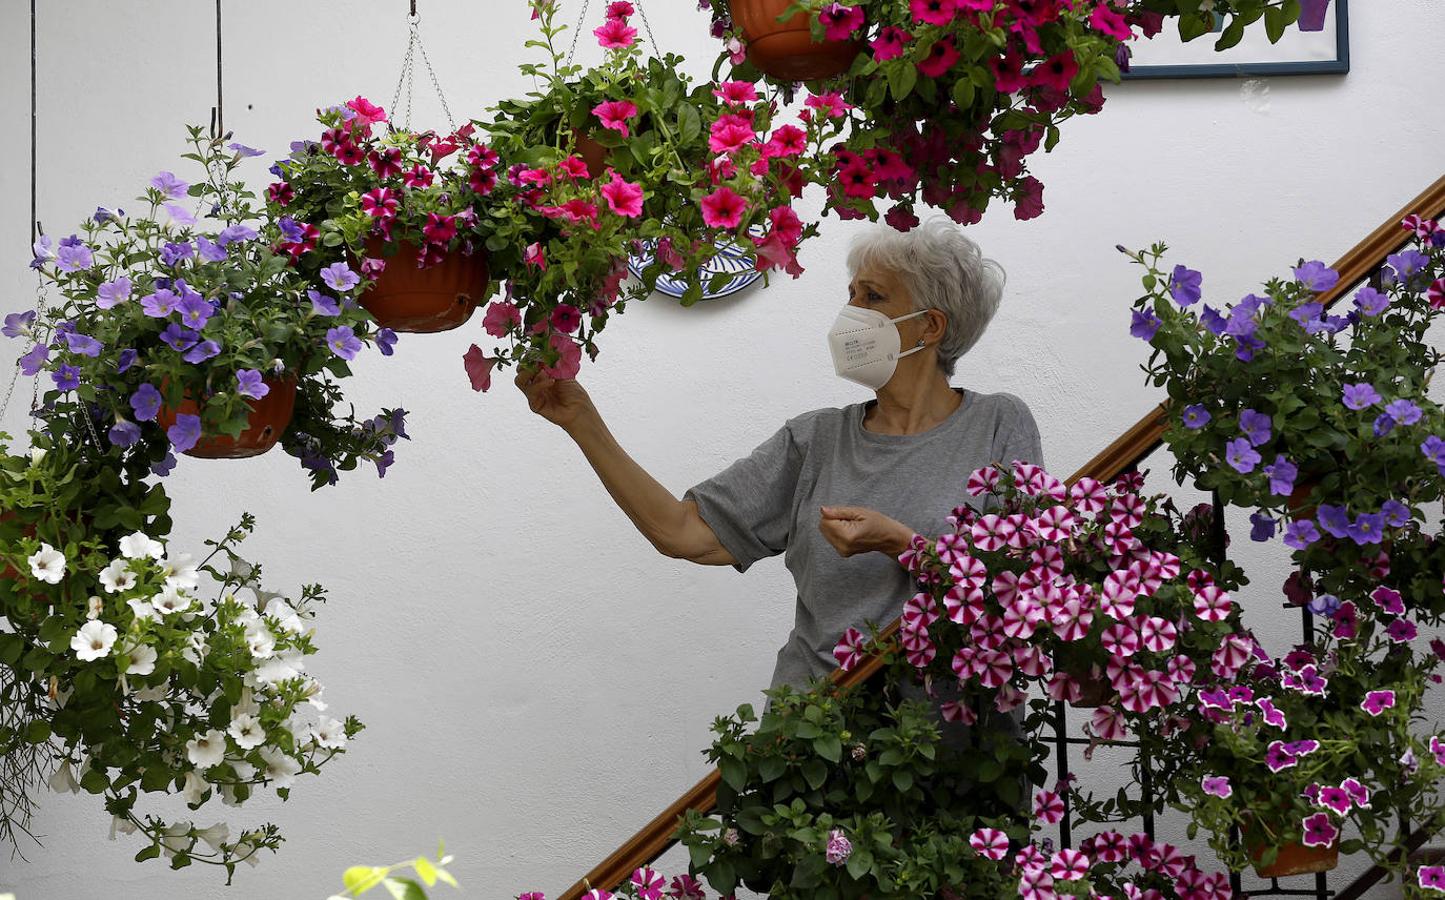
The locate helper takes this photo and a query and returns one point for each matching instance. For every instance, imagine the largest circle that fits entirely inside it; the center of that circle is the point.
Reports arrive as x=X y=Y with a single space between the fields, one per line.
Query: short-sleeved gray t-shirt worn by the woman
x=769 y=502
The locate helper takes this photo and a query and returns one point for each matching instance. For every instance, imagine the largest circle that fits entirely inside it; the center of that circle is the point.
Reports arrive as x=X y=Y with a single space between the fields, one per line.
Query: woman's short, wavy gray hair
x=941 y=269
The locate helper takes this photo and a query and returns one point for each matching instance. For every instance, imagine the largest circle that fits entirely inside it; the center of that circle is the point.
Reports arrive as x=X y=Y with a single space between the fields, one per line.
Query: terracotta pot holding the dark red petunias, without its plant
x=424 y=301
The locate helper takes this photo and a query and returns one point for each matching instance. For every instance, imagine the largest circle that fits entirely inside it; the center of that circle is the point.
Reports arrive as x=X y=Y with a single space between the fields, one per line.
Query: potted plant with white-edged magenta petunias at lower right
x=1304 y=746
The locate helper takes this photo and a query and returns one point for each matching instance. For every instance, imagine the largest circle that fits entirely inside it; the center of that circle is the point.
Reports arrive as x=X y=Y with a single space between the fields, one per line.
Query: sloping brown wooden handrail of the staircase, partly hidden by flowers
x=1128 y=451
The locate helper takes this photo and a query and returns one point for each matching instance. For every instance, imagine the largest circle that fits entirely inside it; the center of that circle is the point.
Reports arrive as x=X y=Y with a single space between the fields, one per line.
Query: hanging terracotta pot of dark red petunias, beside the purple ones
x=401 y=206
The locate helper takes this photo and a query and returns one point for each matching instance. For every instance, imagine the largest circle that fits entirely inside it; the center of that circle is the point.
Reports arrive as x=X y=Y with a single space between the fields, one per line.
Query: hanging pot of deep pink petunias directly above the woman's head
x=949 y=99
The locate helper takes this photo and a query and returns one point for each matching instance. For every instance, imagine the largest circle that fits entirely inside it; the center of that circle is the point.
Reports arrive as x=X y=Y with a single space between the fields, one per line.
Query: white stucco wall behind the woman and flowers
x=537 y=681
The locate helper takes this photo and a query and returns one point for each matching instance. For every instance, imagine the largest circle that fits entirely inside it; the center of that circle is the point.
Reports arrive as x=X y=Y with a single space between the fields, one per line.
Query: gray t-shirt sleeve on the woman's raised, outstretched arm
x=749 y=505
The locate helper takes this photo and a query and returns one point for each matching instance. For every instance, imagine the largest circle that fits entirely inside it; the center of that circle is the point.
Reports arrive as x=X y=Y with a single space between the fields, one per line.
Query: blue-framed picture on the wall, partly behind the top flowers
x=1316 y=46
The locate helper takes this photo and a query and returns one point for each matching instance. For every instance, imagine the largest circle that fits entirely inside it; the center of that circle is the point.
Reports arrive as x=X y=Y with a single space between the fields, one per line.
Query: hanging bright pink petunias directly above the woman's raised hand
x=683 y=168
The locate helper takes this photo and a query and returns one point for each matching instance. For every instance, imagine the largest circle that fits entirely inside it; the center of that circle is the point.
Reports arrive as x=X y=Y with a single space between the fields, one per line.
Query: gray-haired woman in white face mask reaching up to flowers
x=840 y=492
